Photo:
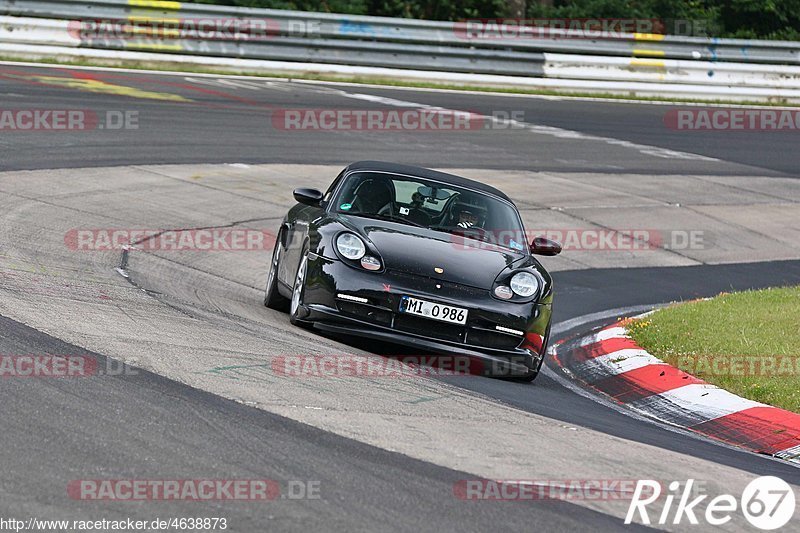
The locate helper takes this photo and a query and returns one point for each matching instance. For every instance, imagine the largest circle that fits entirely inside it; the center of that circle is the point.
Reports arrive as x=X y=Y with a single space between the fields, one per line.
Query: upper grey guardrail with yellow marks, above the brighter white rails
x=445 y=35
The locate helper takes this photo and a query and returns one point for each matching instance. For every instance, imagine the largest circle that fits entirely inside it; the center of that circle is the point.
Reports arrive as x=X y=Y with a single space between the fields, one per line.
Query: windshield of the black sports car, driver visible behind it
x=433 y=205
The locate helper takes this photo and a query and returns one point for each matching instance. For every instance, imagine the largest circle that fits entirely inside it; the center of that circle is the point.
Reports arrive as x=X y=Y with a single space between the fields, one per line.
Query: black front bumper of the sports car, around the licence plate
x=334 y=301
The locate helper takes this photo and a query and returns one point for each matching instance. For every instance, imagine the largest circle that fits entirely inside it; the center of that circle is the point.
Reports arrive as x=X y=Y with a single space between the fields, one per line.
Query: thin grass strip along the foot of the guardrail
x=176 y=67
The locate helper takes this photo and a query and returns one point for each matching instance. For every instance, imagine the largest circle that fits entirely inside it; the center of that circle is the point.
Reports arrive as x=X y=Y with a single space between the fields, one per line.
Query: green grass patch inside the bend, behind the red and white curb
x=746 y=342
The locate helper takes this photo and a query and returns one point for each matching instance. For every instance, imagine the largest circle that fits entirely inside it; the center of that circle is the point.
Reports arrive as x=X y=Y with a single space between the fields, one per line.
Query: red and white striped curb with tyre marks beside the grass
x=610 y=362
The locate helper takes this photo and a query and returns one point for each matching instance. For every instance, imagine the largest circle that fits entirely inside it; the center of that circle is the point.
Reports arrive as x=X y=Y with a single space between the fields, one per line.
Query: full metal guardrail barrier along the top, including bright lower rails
x=285 y=40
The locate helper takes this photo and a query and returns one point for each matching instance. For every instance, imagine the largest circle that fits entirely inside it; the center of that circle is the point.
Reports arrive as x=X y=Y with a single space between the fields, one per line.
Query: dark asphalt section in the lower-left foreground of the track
x=56 y=431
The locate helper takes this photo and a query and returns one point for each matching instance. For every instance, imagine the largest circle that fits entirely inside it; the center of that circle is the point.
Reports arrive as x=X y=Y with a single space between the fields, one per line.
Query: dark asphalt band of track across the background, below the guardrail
x=228 y=123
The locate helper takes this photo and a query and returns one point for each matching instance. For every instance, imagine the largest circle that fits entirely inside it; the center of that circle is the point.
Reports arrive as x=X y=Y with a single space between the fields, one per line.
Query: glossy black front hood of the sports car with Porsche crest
x=420 y=251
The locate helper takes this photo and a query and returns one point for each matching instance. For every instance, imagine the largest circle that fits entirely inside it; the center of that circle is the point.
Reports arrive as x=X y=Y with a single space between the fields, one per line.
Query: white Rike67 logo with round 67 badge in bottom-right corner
x=768 y=503
